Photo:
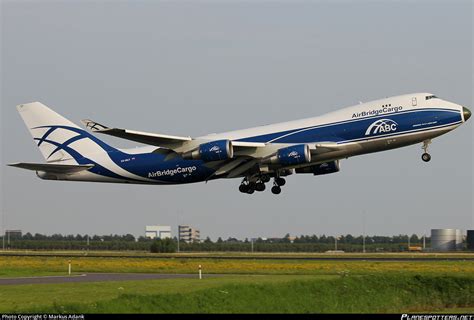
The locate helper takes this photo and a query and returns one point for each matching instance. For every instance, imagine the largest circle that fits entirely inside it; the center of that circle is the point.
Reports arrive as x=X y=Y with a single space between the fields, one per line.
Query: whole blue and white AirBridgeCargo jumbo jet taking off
x=308 y=146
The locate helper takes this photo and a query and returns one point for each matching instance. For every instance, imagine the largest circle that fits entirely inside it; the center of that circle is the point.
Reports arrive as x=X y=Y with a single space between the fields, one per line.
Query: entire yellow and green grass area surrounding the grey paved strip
x=254 y=285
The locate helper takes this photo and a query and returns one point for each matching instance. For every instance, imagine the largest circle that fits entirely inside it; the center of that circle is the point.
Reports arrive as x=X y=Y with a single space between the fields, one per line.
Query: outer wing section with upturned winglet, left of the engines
x=155 y=139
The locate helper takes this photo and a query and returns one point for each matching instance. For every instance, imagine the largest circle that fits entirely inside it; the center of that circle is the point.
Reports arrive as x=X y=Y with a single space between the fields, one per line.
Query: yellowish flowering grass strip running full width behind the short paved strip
x=18 y=266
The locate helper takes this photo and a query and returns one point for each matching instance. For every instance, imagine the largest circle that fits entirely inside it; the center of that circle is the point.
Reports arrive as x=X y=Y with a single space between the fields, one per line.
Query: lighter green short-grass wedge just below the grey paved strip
x=25 y=297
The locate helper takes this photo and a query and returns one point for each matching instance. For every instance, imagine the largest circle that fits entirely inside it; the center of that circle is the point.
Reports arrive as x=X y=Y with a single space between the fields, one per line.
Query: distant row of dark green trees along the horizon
x=128 y=242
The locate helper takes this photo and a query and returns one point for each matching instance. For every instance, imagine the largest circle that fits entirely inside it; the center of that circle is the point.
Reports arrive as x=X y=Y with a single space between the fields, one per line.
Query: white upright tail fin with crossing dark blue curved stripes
x=58 y=138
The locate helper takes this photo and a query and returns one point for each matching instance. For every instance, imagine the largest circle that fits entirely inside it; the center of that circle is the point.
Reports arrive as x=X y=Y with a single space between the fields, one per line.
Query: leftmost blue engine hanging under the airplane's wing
x=212 y=151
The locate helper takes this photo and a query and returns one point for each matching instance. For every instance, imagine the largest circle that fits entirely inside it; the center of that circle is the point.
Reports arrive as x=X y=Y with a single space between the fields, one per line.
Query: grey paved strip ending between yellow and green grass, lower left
x=95 y=277
